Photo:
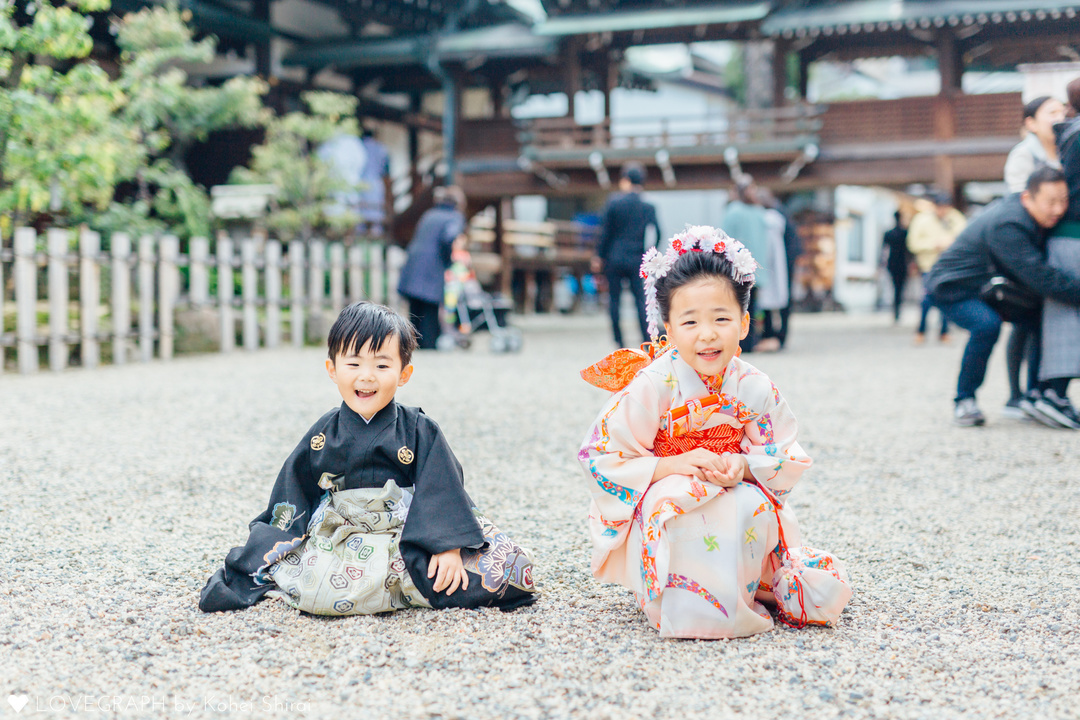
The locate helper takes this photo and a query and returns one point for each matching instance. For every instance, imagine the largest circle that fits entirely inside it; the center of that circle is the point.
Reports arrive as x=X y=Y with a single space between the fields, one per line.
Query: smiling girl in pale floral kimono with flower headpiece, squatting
x=691 y=460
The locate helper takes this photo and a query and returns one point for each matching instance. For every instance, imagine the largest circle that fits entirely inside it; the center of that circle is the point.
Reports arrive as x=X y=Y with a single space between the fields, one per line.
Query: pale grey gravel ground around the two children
x=124 y=488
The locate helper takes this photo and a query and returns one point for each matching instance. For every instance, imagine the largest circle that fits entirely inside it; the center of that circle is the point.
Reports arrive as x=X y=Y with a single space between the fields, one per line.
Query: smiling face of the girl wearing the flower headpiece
x=706 y=323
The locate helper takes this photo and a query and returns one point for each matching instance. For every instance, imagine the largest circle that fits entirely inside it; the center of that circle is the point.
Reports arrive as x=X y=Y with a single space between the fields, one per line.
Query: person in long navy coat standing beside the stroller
x=423 y=278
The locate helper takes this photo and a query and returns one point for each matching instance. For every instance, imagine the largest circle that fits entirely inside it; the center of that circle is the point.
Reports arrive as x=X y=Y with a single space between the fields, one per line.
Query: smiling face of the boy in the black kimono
x=369 y=379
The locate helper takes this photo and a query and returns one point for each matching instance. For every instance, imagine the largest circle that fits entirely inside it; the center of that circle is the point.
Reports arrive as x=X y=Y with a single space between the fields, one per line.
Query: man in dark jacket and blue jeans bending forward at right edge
x=1008 y=239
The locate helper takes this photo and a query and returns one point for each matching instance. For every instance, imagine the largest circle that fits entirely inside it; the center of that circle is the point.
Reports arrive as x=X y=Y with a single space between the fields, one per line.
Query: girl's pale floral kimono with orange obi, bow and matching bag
x=700 y=559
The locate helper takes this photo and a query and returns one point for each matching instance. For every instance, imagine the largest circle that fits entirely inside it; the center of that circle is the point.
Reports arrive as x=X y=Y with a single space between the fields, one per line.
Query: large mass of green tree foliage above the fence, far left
x=69 y=139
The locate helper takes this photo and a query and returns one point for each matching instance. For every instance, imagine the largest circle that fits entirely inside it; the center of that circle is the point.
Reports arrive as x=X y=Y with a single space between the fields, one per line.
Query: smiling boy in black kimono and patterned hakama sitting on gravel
x=370 y=513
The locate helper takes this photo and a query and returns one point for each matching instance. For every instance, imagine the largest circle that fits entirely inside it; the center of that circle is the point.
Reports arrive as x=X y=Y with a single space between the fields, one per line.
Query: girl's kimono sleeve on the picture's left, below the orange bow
x=617 y=454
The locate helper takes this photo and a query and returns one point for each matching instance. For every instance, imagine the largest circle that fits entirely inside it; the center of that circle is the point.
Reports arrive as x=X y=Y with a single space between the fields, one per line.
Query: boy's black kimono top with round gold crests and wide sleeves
x=344 y=453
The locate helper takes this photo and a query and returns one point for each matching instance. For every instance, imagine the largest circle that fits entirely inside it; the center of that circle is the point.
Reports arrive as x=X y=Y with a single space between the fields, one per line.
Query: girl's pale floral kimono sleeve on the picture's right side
x=775 y=456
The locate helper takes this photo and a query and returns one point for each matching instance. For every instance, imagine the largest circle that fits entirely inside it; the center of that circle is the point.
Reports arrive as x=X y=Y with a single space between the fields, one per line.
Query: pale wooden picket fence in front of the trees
x=147 y=290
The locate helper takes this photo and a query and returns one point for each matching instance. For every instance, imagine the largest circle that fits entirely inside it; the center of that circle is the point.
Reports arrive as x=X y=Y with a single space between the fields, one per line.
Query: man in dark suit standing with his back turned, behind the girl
x=623 y=244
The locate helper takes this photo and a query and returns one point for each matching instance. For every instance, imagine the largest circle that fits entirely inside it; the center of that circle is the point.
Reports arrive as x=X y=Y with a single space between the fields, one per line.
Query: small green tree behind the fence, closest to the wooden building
x=307 y=186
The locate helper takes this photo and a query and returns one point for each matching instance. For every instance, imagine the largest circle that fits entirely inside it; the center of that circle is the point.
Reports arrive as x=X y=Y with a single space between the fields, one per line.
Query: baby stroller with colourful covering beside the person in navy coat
x=468 y=309
